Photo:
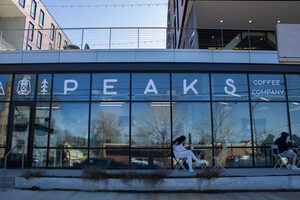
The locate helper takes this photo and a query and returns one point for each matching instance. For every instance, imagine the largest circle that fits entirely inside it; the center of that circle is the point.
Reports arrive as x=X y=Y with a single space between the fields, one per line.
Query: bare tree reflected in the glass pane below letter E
x=107 y=128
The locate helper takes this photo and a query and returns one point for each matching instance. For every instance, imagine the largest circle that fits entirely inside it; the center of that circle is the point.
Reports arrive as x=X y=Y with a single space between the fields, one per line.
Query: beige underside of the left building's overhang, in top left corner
x=9 y=9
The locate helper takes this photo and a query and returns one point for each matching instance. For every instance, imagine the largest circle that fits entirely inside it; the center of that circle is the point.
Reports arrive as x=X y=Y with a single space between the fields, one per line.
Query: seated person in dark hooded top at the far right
x=285 y=150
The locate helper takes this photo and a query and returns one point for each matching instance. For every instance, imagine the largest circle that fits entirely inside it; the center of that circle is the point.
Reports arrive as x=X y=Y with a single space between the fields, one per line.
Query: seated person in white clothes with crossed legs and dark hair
x=181 y=152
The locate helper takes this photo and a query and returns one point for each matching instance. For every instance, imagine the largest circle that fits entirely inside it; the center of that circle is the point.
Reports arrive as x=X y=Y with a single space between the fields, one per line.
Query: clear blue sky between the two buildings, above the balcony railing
x=131 y=15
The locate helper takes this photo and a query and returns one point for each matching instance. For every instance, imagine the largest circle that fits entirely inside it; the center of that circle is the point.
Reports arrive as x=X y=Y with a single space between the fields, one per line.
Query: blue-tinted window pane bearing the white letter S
x=229 y=87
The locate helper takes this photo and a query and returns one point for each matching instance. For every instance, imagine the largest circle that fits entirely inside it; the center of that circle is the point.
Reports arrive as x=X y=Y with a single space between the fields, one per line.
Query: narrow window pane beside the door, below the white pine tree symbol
x=41 y=126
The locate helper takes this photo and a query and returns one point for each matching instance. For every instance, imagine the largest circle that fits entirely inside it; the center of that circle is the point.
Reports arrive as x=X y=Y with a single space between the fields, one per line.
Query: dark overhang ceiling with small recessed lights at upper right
x=236 y=14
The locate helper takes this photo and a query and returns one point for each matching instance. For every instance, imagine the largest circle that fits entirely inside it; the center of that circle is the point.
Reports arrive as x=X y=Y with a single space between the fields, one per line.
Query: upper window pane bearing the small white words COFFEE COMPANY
x=267 y=87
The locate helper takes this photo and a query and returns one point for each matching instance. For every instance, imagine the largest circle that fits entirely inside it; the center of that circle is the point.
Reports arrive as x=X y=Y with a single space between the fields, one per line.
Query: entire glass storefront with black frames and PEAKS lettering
x=125 y=115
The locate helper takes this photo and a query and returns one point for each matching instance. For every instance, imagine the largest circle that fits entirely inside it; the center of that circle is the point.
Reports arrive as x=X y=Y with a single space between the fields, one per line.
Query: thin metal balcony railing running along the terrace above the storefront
x=146 y=38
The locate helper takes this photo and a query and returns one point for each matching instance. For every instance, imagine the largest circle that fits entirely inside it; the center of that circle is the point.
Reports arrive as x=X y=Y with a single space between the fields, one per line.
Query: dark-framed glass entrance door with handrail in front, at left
x=21 y=131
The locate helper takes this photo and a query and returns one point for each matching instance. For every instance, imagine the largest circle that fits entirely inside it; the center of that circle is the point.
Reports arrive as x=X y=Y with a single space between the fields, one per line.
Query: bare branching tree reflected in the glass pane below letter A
x=153 y=125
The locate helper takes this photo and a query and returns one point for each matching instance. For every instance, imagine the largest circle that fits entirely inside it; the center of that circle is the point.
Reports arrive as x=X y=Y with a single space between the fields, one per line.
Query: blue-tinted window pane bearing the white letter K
x=190 y=86
